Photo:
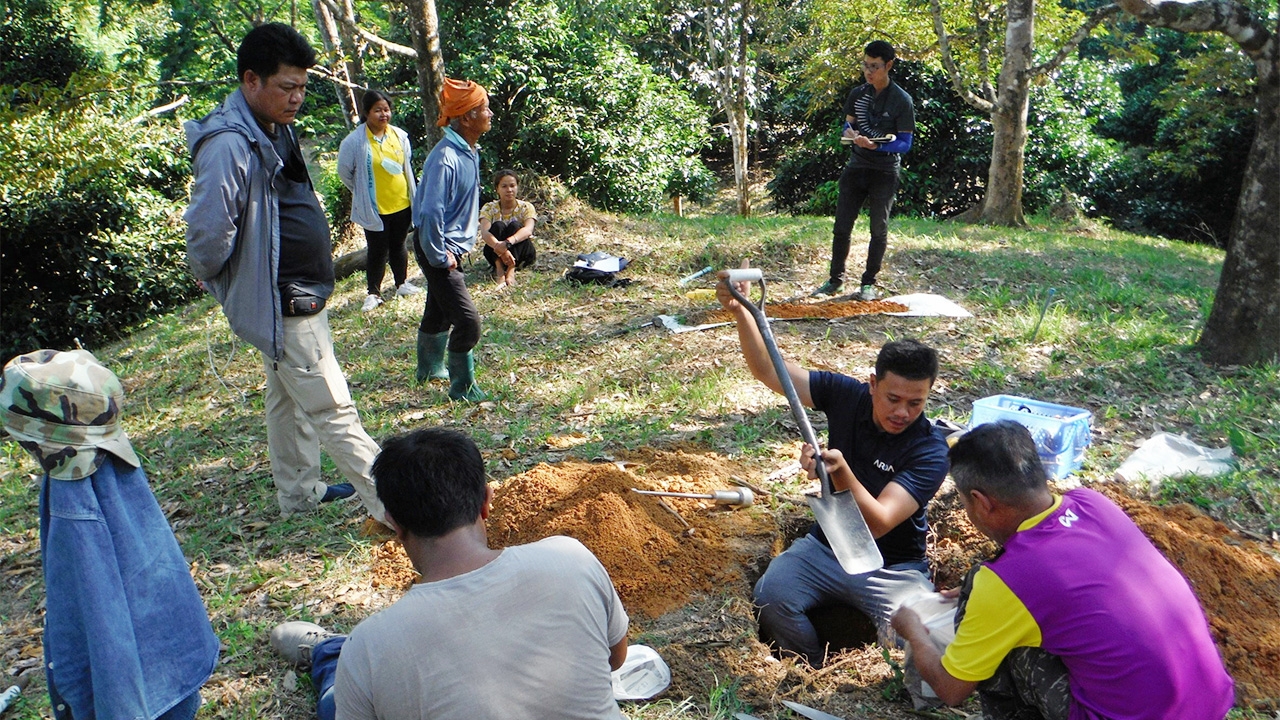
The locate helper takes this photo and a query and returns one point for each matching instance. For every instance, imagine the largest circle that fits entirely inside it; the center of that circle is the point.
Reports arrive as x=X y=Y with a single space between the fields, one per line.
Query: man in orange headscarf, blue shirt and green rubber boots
x=449 y=224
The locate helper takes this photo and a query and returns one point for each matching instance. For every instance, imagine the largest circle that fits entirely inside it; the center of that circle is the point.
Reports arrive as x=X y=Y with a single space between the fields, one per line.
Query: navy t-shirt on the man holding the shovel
x=916 y=459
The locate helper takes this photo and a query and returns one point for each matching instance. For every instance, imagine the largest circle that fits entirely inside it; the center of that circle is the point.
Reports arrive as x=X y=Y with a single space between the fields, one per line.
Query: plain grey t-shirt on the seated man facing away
x=525 y=637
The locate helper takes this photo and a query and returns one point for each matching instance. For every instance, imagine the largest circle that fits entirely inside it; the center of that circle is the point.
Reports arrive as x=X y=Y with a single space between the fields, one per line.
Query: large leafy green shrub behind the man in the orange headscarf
x=573 y=103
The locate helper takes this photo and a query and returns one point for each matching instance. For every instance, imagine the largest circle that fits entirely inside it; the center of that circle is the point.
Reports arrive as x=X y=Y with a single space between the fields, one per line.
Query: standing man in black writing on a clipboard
x=880 y=122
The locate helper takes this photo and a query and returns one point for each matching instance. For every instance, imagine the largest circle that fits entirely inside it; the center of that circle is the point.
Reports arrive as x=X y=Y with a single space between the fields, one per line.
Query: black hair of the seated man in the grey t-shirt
x=431 y=481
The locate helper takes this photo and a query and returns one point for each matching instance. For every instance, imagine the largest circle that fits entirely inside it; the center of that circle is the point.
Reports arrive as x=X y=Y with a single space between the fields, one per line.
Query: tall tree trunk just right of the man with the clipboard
x=1003 y=203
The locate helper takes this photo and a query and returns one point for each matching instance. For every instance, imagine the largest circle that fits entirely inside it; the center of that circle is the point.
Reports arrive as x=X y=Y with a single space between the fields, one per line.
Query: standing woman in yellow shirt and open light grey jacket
x=374 y=162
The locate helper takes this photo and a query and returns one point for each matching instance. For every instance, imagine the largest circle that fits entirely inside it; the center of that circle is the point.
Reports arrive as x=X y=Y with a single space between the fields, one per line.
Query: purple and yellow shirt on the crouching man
x=1084 y=584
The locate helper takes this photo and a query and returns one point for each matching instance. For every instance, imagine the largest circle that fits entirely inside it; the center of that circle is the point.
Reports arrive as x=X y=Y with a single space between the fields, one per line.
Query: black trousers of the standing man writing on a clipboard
x=860 y=186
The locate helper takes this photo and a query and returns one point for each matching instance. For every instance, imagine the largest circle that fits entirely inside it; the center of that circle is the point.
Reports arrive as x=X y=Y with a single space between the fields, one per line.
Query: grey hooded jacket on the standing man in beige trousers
x=234 y=231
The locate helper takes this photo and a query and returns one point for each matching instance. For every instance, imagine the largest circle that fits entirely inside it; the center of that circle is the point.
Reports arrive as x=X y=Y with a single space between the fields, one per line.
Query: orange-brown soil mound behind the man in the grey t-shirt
x=660 y=553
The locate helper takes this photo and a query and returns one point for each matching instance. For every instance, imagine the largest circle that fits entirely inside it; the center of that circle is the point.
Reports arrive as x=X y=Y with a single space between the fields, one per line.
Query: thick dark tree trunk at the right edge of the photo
x=1244 y=329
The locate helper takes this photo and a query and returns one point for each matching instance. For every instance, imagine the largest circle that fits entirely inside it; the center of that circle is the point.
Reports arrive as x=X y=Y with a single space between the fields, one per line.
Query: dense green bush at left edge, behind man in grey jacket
x=93 y=231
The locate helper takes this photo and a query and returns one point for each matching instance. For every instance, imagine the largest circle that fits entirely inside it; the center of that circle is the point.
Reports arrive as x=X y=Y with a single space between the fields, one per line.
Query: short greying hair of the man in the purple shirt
x=999 y=459
